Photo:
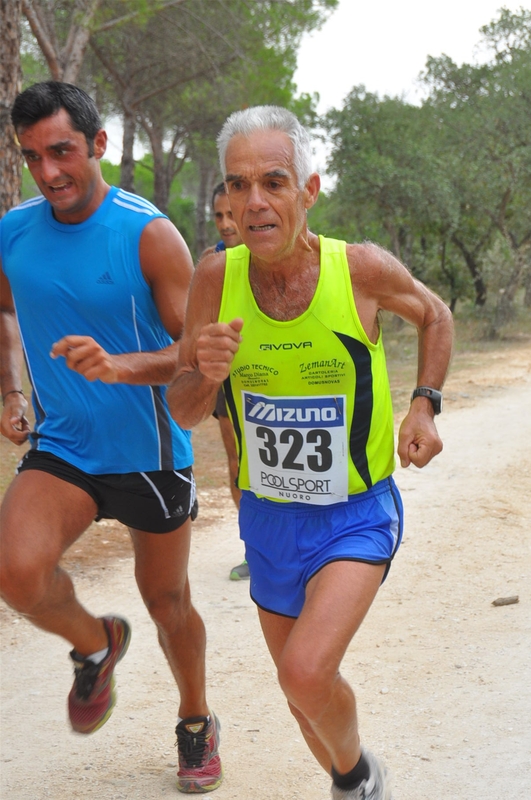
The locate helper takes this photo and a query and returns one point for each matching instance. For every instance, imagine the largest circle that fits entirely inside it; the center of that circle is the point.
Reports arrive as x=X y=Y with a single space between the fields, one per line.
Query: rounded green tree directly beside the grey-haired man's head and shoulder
x=391 y=181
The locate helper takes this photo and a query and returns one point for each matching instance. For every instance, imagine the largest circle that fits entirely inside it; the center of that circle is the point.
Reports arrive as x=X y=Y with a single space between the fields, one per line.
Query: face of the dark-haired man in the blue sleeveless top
x=57 y=157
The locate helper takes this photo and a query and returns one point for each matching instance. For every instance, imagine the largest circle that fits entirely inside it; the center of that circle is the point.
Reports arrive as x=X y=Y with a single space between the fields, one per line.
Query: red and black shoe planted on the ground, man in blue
x=199 y=763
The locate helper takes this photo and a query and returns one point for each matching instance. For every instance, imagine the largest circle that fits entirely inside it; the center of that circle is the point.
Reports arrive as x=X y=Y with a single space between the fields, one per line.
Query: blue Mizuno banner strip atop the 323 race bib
x=303 y=412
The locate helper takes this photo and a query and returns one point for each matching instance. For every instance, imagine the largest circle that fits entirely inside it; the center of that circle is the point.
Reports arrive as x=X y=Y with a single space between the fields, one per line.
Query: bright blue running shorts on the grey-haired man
x=286 y=544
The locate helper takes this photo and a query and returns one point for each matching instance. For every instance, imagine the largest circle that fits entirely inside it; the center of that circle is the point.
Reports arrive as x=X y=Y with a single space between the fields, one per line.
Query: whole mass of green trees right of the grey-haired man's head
x=443 y=184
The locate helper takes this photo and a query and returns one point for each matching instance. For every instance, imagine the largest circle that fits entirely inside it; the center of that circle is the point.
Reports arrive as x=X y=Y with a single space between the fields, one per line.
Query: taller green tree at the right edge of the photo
x=487 y=111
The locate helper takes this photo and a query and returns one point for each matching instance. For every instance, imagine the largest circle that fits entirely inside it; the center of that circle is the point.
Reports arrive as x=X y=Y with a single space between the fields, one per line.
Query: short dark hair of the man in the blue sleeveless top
x=45 y=99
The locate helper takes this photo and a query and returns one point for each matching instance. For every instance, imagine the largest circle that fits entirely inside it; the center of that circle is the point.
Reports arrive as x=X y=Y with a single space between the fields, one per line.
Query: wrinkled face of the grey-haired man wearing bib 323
x=267 y=205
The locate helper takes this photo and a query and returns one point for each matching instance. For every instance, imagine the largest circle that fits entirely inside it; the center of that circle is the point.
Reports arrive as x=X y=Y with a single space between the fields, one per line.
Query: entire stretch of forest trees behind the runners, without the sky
x=444 y=184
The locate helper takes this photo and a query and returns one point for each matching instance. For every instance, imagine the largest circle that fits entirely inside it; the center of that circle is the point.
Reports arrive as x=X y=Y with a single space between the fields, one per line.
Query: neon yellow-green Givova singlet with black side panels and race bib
x=309 y=398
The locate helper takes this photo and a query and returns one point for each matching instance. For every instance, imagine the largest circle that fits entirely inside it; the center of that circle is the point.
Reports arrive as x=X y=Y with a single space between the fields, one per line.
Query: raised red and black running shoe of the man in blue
x=93 y=696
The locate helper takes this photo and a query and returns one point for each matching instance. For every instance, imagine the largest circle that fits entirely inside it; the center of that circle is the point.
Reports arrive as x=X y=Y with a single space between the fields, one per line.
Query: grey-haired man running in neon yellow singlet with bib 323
x=319 y=532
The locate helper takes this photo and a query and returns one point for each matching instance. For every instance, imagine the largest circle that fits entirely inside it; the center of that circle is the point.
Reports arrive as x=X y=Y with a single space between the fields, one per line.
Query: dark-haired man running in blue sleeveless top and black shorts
x=94 y=286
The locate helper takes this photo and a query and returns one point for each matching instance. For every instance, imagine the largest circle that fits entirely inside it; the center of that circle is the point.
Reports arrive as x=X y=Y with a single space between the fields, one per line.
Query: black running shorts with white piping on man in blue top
x=155 y=502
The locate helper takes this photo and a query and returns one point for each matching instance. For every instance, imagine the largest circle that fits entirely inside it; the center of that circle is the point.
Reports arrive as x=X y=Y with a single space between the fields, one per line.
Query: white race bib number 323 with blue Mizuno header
x=297 y=447
